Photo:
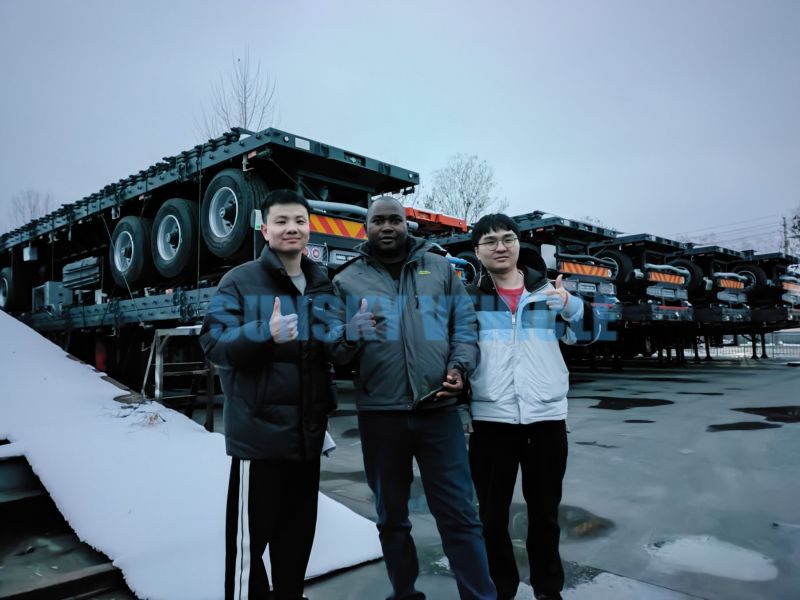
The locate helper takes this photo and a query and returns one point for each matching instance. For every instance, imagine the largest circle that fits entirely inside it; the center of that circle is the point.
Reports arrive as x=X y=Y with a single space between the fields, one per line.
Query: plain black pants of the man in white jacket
x=496 y=452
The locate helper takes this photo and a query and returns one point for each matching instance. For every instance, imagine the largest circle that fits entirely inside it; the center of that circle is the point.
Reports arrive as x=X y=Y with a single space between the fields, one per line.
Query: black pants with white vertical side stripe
x=275 y=503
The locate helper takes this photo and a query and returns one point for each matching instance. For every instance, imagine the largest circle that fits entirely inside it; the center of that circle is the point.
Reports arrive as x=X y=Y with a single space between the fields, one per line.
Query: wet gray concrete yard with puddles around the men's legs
x=681 y=483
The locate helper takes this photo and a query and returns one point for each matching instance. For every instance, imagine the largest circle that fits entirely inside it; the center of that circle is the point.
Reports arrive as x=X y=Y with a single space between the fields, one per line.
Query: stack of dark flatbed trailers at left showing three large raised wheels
x=145 y=253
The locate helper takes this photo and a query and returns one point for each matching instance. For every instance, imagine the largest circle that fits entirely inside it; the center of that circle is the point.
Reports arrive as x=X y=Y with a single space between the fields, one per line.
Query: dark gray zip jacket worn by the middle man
x=426 y=325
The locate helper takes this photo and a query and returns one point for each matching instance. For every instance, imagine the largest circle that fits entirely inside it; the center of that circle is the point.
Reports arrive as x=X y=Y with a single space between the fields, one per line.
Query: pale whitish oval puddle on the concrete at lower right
x=708 y=555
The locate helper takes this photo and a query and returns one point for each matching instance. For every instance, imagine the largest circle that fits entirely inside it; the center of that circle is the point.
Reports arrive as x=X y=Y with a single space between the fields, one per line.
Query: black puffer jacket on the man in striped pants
x=277 y=396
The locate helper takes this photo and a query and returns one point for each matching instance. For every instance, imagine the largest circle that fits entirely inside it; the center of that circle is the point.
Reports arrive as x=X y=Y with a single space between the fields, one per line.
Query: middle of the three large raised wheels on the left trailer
x=173 y=239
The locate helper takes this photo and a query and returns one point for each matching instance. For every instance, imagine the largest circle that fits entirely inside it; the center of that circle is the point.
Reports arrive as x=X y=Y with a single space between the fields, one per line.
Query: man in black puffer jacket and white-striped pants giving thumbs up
x=278 y=393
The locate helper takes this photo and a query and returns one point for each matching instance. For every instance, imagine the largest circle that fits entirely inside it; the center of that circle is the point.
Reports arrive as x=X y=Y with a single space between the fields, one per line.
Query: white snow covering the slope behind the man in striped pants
x=141 y=483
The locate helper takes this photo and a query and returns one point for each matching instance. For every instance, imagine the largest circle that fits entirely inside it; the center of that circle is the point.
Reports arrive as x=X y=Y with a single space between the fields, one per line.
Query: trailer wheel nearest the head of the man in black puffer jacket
x=228 y=204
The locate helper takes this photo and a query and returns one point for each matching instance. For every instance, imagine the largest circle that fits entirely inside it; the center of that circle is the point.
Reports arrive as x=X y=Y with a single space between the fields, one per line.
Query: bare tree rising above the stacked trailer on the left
x=241 y=98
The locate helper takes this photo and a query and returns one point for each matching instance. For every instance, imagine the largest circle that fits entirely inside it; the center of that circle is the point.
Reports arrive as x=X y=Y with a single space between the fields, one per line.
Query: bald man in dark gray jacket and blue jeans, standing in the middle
x=411 y=332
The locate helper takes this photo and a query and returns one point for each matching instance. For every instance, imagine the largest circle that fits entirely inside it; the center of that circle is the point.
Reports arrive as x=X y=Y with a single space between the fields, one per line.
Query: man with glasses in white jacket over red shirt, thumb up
x=519 y=404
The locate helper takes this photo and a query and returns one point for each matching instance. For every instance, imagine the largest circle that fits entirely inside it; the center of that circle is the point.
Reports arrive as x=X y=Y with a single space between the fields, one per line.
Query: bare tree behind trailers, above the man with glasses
x=464 y=188
